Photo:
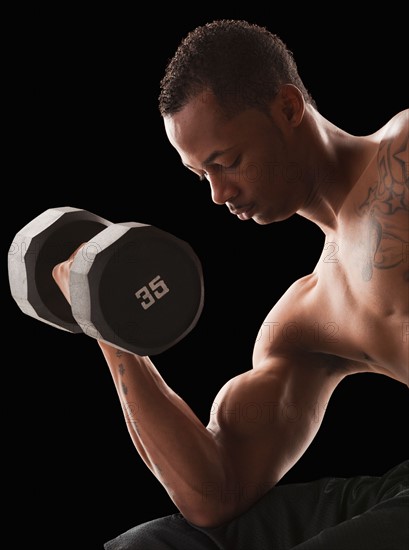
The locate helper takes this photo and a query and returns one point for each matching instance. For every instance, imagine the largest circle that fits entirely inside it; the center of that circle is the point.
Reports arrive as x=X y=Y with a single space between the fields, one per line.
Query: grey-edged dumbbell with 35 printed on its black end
x=132 y=285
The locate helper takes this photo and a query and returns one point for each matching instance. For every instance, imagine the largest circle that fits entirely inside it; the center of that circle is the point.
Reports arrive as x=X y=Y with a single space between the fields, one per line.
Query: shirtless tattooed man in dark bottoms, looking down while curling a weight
x=238 y=115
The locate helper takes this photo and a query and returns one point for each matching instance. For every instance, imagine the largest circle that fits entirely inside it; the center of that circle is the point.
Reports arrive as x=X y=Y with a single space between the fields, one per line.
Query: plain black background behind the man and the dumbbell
x=85 y=131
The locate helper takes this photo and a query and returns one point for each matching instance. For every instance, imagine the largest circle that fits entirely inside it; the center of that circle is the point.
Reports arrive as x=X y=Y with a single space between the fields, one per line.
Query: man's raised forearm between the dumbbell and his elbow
x=172 y=441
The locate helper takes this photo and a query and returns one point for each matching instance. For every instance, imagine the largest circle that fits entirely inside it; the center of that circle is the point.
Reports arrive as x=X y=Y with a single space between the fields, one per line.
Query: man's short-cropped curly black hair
x=241 y=63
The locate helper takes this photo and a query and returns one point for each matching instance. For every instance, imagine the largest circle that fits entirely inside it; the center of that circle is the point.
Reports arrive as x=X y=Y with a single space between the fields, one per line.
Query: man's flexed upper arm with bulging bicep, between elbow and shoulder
x=263 y=420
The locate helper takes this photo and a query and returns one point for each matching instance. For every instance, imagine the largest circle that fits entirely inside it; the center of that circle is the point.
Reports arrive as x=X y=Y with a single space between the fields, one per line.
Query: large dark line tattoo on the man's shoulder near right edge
x=387 y=207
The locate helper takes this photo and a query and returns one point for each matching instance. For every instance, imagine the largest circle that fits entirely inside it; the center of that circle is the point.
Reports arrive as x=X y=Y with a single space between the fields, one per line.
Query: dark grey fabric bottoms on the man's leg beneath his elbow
x=357 y=513
